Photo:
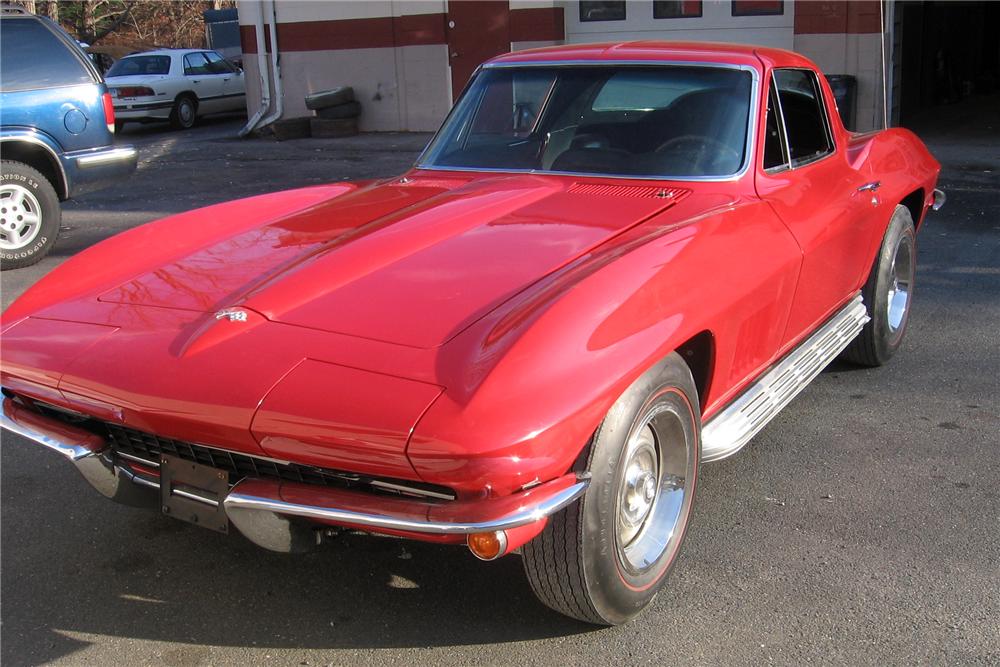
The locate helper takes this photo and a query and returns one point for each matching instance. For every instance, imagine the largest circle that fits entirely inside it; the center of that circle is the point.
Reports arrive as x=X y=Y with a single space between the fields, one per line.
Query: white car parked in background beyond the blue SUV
x=178 y=85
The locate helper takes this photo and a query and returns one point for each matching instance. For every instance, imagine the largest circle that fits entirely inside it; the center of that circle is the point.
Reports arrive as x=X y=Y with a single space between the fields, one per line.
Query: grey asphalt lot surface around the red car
x=862 y=526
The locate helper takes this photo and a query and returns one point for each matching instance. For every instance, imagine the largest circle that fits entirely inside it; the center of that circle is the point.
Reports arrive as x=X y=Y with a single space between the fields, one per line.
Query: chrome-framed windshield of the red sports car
x=649 y=121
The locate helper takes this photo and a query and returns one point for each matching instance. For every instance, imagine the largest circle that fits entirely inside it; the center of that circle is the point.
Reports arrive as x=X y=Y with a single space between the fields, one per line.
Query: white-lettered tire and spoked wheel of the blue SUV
x=17 y=180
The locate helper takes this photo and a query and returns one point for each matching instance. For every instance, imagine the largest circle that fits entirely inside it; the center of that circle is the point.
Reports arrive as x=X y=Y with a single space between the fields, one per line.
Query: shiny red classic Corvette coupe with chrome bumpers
x=613 y=263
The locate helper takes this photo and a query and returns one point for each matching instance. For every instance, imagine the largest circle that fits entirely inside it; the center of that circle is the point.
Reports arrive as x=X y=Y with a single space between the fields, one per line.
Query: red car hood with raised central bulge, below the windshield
x=411 y=262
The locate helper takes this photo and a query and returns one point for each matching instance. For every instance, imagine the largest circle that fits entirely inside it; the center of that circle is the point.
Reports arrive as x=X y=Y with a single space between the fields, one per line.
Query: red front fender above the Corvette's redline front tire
x=527 y=387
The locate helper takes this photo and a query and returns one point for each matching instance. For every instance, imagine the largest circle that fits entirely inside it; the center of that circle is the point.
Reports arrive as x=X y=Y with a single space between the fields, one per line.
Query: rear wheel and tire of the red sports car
x=890 y=283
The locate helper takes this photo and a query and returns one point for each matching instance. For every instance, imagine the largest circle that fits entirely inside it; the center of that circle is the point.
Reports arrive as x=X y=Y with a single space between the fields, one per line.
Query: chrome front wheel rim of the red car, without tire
x=651 y=509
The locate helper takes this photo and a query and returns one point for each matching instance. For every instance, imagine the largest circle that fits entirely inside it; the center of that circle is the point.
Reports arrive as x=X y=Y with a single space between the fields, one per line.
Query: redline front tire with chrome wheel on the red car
x=579 y=565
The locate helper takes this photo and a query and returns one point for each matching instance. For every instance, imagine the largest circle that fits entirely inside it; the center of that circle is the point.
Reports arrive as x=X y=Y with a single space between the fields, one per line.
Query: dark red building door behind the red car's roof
x=477 y=31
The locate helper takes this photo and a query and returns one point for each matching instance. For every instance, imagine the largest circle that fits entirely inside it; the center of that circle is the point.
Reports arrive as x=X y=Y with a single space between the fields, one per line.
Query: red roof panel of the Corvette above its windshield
x=653 y=50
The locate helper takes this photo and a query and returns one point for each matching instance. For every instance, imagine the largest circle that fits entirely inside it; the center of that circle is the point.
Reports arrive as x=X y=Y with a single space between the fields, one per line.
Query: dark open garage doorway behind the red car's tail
x=948 y=52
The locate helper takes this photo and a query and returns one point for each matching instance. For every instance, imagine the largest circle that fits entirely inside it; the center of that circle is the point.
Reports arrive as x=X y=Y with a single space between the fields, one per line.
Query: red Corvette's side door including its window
x=807 y=180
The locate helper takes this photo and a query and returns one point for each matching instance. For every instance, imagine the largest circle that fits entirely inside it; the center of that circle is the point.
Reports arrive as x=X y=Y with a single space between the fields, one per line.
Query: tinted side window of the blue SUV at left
x=32 y=56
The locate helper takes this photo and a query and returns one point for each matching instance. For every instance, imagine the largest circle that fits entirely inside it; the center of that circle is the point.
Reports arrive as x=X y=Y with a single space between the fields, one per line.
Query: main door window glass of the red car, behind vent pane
x=804 y=115
